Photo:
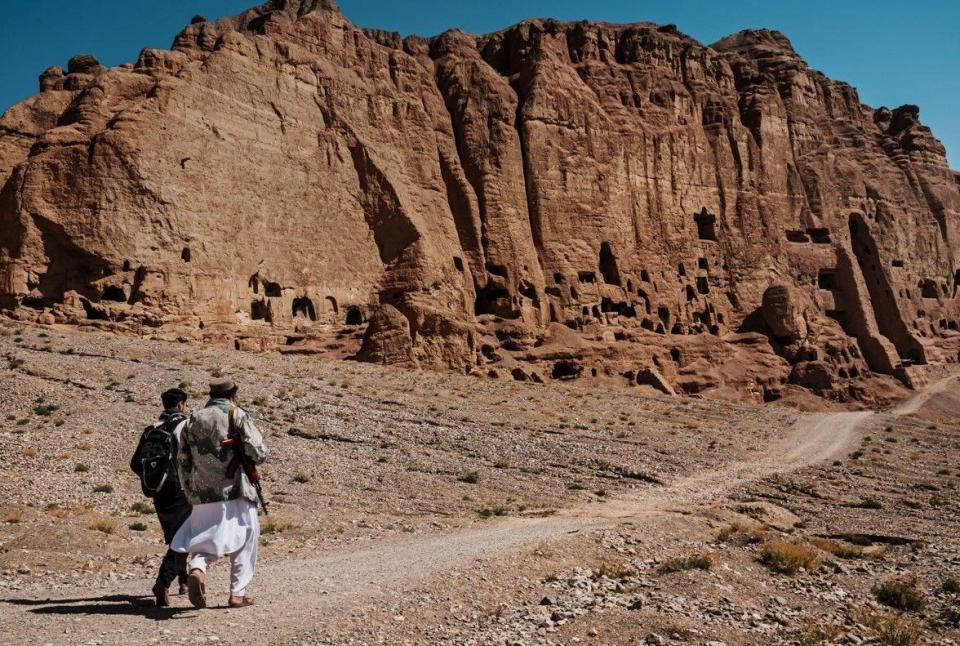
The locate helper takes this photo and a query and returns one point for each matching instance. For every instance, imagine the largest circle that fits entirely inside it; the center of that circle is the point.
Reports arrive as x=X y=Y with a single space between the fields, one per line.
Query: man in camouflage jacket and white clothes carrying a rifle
x=224 y=522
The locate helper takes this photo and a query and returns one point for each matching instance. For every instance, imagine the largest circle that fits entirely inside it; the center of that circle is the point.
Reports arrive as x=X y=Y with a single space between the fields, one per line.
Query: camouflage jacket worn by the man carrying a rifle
x=202 y=461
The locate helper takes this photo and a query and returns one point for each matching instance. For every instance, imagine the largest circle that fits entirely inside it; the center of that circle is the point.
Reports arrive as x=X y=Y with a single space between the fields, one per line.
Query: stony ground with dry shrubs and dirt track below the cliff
x=416 y=507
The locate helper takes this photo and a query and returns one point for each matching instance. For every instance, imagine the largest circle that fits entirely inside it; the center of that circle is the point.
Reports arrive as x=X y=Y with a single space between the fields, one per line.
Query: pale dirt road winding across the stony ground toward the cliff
x=297 y=593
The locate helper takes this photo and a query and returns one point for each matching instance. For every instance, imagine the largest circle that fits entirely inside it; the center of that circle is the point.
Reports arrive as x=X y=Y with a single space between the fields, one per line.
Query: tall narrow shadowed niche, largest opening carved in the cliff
x=885 y=310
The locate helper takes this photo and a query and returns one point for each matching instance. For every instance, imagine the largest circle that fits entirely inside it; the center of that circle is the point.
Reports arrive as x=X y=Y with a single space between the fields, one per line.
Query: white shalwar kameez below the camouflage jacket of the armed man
x=219 y=529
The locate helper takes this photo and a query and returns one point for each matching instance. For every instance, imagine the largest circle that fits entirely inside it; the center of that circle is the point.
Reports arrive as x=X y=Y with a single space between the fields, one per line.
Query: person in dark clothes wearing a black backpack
x=155 y=462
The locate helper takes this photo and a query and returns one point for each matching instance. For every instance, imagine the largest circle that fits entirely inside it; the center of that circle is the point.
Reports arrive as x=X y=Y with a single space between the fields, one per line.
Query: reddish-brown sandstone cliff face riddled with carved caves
x=551 y=201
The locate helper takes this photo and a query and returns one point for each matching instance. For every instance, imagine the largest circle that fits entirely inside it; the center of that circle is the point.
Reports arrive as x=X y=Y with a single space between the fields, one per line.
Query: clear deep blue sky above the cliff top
x=893 y=52
